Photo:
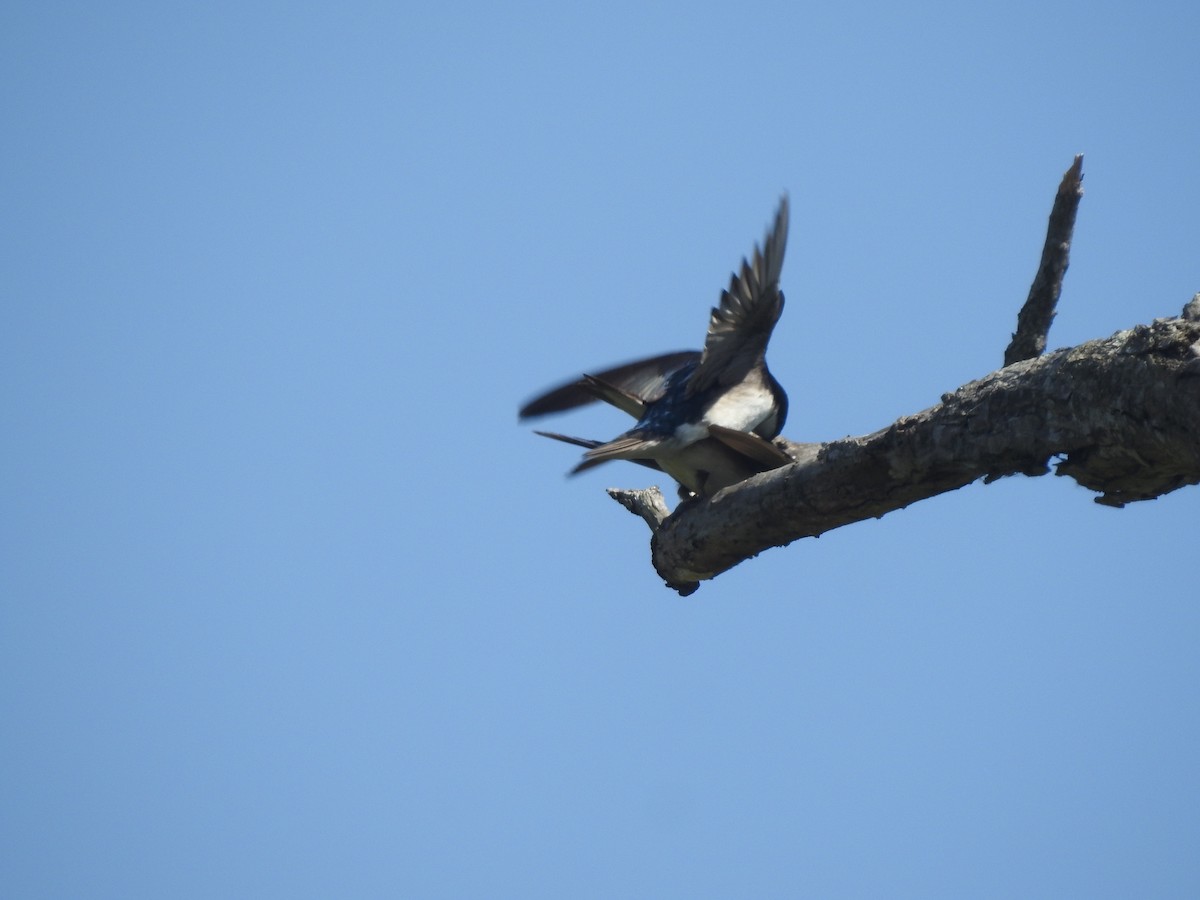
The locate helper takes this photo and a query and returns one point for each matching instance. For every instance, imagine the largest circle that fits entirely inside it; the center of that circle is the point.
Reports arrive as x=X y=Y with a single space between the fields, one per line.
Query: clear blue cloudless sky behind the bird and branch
x=291 y=607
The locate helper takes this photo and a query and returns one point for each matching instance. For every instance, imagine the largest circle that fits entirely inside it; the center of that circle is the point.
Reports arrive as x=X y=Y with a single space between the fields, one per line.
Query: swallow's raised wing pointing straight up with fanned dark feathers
x=742 y=323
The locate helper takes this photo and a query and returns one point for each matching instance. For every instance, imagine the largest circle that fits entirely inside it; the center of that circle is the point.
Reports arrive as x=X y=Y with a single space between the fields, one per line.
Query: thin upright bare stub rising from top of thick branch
x=1035 y=319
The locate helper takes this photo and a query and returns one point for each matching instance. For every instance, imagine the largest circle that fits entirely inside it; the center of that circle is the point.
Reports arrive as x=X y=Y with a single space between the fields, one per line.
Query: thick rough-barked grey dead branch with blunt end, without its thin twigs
x=1124 y=412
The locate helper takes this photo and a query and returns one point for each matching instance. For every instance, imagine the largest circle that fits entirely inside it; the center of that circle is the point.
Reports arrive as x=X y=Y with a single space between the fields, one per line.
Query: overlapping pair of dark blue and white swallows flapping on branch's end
x=707 y=417
